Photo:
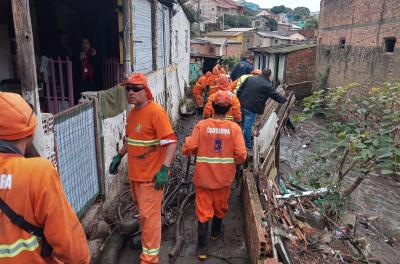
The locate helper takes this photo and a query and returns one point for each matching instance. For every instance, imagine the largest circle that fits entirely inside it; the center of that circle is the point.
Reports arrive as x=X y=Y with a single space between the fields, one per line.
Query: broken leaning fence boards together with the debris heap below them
x=295 y=229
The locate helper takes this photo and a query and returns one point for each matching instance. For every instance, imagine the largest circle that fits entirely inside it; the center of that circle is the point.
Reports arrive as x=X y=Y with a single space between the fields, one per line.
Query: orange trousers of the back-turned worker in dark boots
x=210 y=202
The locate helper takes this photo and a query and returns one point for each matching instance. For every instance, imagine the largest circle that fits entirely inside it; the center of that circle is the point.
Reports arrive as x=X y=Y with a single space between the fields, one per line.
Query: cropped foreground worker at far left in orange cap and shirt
x=37 y=224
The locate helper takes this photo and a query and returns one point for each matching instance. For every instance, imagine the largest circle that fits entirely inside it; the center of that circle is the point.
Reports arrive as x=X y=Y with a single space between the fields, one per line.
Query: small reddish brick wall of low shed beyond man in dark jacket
x=300 y=71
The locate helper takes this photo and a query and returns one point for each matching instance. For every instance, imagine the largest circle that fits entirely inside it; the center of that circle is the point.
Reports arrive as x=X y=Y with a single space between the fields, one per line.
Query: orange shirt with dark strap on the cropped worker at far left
x=32 y=188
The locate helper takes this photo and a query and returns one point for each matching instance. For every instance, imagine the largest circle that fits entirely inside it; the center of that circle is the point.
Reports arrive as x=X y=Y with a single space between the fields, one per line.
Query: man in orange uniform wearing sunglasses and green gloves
x=151 y=143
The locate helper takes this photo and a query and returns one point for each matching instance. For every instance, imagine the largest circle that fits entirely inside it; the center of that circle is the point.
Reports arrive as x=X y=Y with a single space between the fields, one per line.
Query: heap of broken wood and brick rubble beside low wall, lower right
x=300 y=233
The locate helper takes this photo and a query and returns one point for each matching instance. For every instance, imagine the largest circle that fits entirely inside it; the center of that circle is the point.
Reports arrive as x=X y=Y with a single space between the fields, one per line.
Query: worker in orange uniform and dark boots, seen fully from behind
x=219 y=145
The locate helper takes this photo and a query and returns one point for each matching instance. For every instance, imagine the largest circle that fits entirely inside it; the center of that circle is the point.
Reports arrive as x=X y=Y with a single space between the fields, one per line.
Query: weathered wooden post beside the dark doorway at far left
x=27 y=65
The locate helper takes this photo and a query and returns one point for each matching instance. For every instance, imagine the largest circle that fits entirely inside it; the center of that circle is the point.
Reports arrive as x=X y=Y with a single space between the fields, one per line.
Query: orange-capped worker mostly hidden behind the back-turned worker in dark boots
x=234 y=113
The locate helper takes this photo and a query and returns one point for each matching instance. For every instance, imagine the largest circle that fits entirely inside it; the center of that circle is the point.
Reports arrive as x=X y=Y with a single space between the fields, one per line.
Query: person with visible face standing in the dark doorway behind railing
x=86 y=58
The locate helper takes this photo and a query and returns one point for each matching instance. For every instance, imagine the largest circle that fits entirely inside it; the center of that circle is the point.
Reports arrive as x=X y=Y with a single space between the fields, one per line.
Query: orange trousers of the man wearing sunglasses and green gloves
x=148 y=201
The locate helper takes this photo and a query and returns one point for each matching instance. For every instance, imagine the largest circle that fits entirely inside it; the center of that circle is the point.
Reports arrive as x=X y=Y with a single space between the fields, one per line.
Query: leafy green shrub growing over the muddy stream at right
x=362 y=136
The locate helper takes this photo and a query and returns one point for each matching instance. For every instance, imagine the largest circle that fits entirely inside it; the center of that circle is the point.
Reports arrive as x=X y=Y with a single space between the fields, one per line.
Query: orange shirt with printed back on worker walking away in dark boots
x=219 y=145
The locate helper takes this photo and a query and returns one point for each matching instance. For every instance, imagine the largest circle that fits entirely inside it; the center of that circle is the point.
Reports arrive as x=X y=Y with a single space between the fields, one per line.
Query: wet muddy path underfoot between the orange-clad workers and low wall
x=231 y=248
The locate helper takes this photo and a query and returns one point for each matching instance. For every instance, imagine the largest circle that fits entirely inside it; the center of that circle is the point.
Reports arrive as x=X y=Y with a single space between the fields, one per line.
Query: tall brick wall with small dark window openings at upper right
x=364 y=24
